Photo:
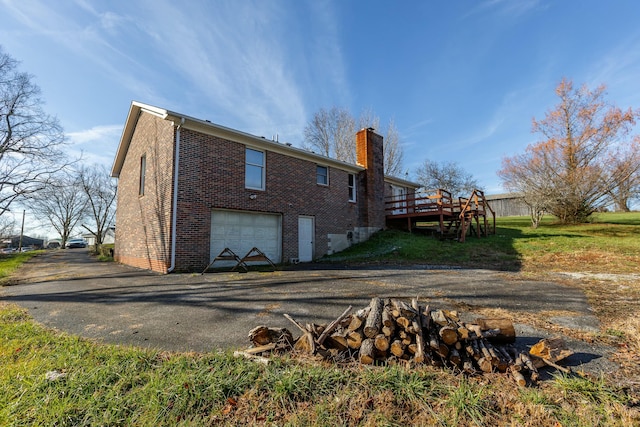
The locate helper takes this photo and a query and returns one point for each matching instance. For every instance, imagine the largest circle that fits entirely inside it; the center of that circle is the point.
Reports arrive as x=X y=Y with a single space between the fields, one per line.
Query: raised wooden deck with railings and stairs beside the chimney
x=438 y=212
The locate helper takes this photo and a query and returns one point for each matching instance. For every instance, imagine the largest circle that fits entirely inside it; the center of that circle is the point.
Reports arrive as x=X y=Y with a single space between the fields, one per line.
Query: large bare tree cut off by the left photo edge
x=31 y=141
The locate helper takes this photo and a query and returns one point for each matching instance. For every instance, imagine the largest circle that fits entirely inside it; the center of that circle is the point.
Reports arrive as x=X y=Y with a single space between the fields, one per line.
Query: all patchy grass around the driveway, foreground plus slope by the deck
x=111 y=385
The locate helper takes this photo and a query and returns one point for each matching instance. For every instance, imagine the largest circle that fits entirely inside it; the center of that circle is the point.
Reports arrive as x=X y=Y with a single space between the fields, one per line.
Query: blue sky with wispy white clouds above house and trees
x=461 y=79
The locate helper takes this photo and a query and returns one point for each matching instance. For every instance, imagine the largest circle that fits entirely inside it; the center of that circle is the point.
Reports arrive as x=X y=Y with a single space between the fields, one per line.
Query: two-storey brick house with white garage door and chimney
x=188 y=189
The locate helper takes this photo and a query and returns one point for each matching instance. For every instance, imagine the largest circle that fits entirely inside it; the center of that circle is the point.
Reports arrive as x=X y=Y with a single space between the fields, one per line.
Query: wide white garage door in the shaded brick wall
x=242 y=231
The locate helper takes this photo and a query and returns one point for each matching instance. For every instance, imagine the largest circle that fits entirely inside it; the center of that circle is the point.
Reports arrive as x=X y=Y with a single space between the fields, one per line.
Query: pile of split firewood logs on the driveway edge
x=391 y=331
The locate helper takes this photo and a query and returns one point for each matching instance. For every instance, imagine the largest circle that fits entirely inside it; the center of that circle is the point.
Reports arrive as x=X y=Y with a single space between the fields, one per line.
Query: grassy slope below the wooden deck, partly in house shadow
x=610 y=243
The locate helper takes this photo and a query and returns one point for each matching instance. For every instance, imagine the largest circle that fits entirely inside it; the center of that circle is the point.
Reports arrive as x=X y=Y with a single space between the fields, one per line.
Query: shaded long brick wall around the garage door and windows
x=212 y=176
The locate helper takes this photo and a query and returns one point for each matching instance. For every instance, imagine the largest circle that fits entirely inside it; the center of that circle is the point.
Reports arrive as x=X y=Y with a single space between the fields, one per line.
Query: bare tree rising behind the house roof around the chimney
x=332 y=134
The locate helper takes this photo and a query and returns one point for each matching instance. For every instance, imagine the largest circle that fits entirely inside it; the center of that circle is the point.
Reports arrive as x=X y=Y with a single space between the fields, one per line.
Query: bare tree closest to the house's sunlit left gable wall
x=100 y=190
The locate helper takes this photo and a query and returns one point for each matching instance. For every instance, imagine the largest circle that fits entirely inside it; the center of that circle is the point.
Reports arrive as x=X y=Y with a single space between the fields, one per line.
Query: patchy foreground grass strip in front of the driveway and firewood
x=111 y=385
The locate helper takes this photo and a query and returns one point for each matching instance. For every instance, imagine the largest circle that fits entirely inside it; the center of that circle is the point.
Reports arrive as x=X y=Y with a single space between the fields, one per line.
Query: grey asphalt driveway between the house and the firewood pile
x=70 y=291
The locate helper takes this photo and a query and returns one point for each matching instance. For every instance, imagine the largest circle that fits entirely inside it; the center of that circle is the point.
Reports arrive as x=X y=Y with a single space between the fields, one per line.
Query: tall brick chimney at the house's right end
x=370 y=155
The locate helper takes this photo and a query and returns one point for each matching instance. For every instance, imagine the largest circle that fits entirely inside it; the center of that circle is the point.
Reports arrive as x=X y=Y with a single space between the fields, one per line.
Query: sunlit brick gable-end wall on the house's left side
x=143 y=222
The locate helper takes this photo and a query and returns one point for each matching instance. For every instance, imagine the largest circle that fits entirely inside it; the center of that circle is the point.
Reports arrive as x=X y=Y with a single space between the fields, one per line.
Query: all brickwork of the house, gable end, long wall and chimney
x=211 y=174
